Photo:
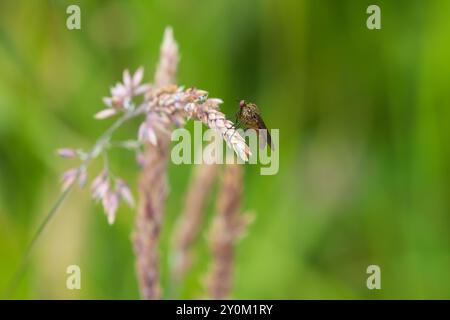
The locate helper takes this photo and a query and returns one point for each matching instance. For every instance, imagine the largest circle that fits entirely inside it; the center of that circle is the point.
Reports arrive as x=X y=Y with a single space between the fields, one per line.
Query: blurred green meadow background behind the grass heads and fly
x=364 y=156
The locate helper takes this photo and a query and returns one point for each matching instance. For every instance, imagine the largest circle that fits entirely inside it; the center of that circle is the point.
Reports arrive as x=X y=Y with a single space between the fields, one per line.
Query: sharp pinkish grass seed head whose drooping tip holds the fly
x=164 y=105
